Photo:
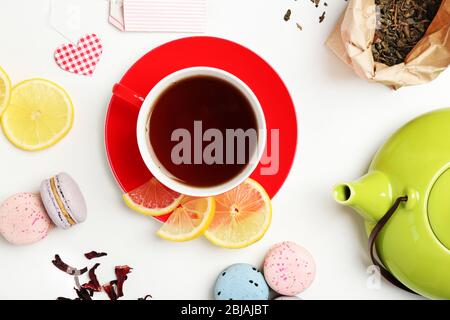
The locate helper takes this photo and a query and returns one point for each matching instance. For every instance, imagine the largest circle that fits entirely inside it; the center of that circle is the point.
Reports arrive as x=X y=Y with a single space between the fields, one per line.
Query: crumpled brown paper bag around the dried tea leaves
x=352 y=41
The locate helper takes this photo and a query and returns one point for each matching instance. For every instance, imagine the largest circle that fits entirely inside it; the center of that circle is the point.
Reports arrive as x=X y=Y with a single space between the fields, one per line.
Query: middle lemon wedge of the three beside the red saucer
x=189 y=220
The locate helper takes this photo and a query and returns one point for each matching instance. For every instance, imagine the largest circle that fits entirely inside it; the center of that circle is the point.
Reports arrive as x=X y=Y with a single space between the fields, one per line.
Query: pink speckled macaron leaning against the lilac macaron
x=23 y=219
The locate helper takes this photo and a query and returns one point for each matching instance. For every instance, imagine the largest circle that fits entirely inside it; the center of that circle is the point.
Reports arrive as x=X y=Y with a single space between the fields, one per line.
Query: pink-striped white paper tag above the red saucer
x=165 y=15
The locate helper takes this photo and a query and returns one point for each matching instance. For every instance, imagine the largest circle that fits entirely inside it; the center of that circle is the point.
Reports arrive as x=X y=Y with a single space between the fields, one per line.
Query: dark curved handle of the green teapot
x=372 y=239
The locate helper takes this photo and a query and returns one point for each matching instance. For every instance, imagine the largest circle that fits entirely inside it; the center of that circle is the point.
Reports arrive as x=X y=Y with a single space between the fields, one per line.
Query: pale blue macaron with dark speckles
x=241 y=282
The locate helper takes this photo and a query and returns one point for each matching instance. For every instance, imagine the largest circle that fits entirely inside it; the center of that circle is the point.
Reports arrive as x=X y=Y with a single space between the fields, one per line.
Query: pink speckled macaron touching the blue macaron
x=289 y=269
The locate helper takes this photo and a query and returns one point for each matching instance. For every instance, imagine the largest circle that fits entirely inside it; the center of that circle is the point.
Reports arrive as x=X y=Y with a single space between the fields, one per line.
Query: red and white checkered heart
x=82 y=58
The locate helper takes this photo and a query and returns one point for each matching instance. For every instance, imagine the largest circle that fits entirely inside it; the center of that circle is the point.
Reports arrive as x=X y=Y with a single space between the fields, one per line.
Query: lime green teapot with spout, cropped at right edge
x=413 y=240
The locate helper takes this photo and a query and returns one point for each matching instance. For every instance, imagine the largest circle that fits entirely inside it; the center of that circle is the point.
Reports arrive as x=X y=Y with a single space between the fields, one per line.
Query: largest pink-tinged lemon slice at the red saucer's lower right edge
x=242 y=216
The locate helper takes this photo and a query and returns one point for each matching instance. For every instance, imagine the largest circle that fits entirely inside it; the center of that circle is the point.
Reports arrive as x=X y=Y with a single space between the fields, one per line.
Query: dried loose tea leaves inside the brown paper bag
x=400 y=26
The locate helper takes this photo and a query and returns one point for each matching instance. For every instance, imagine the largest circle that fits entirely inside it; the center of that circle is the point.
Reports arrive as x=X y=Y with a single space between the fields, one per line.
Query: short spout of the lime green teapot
x=371 y=196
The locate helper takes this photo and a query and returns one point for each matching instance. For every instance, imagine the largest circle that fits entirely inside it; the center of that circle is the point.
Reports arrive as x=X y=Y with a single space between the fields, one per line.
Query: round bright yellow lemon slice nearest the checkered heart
x=40 y=114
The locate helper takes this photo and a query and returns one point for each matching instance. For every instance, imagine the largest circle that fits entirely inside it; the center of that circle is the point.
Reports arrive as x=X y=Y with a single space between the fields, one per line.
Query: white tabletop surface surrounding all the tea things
x=342 y=120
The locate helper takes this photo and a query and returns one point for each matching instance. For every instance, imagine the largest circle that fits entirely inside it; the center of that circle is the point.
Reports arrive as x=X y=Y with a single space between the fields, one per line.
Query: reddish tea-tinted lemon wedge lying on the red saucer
x=152 y=199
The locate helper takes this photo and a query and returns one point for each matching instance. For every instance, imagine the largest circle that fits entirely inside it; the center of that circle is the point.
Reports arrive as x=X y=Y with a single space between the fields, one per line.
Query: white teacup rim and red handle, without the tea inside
x=143 y=122
